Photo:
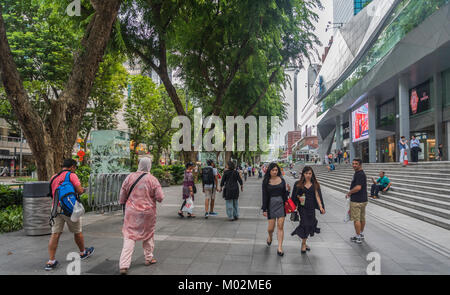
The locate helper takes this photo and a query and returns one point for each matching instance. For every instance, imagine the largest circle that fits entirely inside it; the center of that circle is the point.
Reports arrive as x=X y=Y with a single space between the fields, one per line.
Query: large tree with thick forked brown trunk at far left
x=52 y=139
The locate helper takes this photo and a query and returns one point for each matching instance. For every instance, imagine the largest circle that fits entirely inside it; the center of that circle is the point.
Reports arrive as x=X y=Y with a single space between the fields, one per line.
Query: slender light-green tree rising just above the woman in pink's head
x=141 y=102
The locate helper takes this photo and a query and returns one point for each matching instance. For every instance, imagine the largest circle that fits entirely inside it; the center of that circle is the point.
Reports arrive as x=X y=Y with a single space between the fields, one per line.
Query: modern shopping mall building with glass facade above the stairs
x=387 y=75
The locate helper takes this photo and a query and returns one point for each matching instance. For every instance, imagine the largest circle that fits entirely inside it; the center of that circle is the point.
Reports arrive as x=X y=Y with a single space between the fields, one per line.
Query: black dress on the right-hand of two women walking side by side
x=308 y=221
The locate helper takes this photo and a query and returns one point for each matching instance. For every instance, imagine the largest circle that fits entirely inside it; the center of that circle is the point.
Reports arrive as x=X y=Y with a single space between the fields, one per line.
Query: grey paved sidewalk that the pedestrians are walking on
x=218 y=246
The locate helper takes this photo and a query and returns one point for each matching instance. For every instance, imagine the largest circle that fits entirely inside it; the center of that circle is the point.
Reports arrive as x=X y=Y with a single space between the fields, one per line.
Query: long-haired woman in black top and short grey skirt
x=275 y=194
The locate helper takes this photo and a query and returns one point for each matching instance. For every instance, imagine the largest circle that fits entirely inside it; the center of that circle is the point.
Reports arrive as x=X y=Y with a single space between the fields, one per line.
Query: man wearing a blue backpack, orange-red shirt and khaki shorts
x=64 y=189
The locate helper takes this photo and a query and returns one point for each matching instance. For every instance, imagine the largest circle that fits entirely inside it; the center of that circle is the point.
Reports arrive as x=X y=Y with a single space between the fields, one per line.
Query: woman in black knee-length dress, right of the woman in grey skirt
x=307 y=197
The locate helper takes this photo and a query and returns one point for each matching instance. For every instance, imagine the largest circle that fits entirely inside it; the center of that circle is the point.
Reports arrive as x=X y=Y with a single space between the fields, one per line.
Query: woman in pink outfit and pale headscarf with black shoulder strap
x=139 y=193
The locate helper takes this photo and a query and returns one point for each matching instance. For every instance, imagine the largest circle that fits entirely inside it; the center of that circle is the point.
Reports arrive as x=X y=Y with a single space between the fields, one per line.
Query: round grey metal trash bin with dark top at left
x=37 y=208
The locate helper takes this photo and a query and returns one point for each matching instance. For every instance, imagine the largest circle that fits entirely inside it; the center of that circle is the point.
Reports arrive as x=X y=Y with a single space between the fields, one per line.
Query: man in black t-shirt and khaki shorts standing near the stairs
x=358 y=200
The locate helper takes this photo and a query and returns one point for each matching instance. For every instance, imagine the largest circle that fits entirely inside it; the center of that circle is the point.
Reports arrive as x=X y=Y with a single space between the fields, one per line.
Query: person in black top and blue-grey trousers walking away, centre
x=230 y=181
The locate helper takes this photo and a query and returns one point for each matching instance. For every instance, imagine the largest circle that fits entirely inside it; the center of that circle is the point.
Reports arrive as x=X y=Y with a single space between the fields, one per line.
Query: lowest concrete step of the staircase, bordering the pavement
x=418 y=214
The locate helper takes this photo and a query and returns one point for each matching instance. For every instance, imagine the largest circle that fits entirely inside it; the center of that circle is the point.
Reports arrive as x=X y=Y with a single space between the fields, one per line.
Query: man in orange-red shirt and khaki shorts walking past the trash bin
x=68 y=171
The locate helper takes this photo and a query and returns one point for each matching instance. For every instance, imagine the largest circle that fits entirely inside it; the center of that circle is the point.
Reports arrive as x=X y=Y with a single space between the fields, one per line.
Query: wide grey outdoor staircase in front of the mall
x=419 y=190
